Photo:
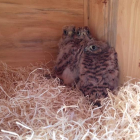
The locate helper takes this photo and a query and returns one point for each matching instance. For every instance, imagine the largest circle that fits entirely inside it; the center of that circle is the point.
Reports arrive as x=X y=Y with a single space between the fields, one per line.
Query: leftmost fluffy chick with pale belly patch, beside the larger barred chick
x=66 y=62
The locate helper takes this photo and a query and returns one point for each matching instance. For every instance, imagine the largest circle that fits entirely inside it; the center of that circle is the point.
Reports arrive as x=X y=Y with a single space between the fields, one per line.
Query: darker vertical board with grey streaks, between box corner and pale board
x=103 y=20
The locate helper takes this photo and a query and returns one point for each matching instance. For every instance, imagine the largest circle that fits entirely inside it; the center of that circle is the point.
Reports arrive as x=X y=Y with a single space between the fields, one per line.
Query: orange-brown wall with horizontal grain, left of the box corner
x=30 y=29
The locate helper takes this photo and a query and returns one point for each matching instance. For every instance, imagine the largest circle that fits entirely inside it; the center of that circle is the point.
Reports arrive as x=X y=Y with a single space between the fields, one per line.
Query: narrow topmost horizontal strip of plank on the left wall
x=45 y=4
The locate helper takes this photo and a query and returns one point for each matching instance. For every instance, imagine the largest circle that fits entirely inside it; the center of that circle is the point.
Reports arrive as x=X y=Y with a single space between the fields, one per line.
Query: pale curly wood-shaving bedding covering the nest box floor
x=33 y=107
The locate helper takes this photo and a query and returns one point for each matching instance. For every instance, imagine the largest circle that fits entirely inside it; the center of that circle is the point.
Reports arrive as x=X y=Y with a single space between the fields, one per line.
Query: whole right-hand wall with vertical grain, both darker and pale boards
x=118 y=23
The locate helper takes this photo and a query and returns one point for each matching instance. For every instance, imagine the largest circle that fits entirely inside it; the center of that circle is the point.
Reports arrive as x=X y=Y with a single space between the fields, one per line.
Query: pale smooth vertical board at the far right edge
x=128 y=43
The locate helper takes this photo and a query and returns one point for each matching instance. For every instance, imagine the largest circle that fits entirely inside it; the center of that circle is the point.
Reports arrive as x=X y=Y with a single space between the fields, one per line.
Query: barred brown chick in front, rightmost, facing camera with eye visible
x=98 y=70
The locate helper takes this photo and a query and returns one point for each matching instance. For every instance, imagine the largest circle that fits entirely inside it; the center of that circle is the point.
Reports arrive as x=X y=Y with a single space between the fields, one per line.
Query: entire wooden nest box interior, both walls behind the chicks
x=30 y=29
